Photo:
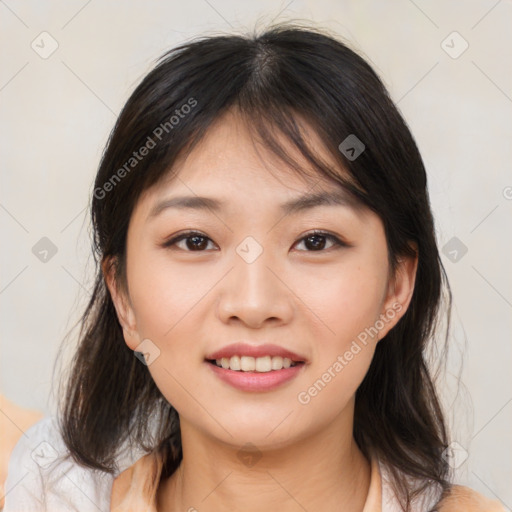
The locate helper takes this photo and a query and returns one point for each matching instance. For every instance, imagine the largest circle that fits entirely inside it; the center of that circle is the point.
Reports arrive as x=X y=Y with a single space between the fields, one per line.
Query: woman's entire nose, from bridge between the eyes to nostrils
x=253 y=293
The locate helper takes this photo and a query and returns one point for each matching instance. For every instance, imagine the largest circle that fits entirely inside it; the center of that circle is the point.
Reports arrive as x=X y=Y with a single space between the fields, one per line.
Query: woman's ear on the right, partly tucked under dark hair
x=399 y=292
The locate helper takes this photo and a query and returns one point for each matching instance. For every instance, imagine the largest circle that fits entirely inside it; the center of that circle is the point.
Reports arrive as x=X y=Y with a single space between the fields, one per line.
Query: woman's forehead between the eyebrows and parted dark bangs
x=232 y=159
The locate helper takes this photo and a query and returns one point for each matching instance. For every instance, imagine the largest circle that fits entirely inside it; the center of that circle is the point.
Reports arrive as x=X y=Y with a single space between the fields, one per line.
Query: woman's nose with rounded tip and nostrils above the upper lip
x=253 y=294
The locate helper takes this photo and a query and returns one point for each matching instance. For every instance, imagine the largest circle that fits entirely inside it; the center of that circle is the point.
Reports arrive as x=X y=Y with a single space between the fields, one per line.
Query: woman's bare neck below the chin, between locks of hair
x=326 y=471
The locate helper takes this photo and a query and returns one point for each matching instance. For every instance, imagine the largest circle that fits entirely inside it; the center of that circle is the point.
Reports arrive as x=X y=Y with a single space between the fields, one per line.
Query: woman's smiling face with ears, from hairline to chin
x=267 y=264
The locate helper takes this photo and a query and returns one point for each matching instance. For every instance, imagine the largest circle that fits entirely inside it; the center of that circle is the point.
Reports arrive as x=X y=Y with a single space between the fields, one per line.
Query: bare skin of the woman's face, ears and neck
x=190 y=303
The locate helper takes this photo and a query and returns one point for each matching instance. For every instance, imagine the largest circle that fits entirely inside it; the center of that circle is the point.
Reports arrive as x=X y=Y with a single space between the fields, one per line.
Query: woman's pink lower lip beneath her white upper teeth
x=256 y=381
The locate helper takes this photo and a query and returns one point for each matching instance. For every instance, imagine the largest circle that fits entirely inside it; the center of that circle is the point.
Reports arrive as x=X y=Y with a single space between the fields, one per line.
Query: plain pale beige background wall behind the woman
x=56 y=113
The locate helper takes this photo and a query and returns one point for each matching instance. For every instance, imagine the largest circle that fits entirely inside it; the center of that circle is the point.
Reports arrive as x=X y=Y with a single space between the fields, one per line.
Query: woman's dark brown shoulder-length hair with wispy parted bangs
x=274 y=80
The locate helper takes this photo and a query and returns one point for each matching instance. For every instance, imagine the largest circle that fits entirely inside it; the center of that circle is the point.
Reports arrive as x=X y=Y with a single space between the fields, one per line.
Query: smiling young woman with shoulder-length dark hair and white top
x=266 y=249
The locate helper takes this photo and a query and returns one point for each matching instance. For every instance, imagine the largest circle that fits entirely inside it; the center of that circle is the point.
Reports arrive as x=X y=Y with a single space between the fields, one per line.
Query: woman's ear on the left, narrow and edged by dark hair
x=121 y=300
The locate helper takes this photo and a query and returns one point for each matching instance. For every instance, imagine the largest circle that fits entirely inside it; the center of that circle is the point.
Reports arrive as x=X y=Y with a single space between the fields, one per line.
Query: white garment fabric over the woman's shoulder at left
x=42 y=475
